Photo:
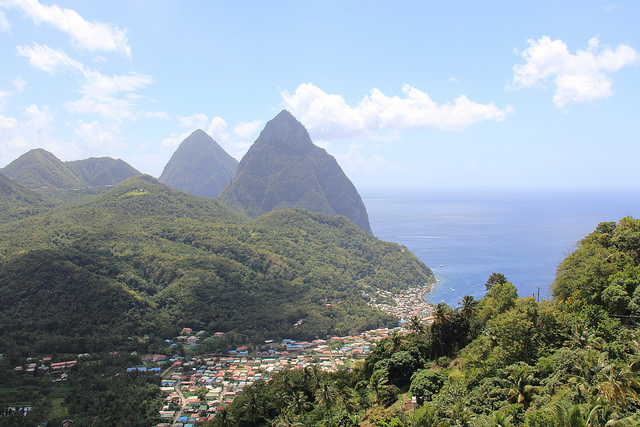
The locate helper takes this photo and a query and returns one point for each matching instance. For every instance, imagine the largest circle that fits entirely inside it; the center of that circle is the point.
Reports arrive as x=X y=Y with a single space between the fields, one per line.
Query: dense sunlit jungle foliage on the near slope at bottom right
x=500 y=361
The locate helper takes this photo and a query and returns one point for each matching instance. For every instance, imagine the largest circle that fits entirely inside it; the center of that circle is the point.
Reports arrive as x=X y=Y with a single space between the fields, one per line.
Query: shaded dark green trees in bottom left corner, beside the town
x=99 y=391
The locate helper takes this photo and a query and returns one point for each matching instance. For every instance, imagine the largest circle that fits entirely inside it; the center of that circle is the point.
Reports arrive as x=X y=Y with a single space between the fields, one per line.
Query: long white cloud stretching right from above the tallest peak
x=328 y=116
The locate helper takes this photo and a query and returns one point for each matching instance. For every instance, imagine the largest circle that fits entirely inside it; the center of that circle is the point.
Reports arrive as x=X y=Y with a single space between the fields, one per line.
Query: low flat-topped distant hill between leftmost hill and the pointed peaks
x=101 y=171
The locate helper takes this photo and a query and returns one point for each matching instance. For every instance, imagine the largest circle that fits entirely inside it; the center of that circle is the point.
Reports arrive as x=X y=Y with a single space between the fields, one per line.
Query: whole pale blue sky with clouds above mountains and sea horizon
x=432 y=95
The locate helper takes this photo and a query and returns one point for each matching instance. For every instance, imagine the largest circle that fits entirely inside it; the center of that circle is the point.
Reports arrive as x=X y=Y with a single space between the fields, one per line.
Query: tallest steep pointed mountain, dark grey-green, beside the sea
x=284 y=169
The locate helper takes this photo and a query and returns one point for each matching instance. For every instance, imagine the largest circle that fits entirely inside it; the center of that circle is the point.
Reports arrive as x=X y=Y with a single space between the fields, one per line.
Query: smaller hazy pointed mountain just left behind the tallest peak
x=199 y=166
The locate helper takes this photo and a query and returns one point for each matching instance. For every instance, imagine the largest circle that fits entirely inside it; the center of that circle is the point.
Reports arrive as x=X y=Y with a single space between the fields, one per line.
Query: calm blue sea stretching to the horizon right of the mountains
x=465 y=236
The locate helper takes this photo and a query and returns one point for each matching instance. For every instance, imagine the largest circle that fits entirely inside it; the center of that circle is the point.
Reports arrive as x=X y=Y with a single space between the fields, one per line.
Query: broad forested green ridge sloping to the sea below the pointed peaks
x=157 y=259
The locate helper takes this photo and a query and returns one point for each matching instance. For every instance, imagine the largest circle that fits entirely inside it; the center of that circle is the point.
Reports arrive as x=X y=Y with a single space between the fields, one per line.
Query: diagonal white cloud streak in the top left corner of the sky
x=92 y=36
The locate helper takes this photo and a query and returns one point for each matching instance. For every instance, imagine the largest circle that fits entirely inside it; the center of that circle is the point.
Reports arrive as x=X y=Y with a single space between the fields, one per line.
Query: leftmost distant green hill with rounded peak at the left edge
x=39 y=168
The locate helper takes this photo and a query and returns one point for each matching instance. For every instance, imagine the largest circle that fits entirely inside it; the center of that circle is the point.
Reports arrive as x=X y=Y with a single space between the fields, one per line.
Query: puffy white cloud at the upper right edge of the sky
x=578 y=77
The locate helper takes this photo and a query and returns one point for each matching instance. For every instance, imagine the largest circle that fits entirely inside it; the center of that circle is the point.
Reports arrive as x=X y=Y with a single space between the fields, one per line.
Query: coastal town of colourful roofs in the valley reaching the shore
x=198 y=387
